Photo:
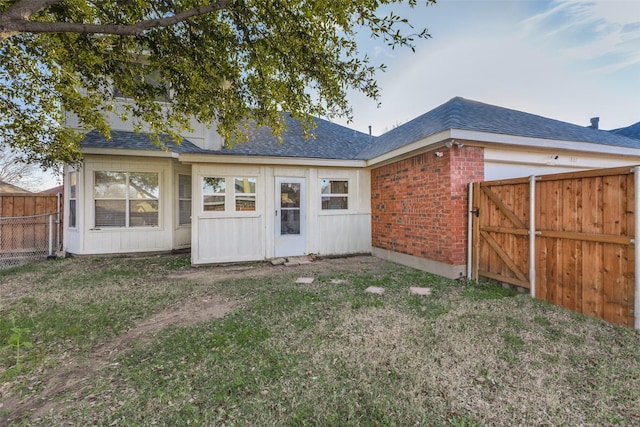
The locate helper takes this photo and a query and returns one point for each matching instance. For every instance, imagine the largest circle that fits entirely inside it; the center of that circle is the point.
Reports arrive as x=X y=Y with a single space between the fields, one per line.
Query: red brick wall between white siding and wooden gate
x=419 y=205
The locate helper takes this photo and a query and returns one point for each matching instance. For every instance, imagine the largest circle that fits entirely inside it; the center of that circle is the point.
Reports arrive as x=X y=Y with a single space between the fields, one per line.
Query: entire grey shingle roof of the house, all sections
x=333 y=141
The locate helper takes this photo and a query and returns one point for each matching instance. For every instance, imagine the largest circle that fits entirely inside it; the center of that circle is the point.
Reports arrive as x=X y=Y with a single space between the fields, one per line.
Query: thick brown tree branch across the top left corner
x=17 y=22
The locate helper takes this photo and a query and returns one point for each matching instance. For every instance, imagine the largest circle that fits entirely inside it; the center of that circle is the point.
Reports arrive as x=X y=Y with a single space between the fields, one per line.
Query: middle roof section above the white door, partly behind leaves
x=328 y=141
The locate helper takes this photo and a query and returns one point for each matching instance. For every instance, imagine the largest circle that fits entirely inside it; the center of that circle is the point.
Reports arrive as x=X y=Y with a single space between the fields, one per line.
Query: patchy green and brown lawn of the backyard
x=306 y=355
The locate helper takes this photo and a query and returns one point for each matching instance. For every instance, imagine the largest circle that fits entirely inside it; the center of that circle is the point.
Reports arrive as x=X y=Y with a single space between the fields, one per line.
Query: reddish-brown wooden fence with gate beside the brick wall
x=583 y=255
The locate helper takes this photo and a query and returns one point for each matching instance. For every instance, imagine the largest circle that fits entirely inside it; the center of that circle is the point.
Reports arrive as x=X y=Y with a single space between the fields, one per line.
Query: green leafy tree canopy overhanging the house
x=219 y=61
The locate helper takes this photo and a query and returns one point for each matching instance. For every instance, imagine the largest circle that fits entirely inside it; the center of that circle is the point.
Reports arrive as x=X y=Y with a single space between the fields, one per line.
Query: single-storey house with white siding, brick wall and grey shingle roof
x=401 y=196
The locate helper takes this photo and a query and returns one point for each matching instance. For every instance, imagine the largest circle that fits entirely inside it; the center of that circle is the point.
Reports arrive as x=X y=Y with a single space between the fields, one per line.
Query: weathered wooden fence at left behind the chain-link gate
x=30 y=220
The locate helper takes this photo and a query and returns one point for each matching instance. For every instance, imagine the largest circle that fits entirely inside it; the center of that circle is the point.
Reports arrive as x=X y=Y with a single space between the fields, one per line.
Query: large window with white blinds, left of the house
x=126 y=199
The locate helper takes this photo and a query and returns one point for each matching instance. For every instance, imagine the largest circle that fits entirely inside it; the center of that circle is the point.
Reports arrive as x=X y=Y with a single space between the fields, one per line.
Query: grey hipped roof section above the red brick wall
x=463 y=114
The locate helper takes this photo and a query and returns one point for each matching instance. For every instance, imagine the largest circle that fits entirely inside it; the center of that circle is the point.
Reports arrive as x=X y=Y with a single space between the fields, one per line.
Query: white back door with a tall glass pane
x=291 y=212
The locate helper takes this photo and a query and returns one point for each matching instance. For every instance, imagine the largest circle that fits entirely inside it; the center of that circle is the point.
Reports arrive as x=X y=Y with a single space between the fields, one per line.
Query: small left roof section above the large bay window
x=127 y=140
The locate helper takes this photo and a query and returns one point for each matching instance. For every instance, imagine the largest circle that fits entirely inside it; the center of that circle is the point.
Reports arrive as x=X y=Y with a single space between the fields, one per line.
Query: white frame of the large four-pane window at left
x=128 y=199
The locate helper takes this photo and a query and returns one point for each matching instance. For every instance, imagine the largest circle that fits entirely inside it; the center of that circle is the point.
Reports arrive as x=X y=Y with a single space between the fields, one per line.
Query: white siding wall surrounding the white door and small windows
x=243 y=236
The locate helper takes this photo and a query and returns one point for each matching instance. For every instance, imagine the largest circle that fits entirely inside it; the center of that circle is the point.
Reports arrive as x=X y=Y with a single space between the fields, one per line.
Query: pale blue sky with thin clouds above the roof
x=564 y=59
